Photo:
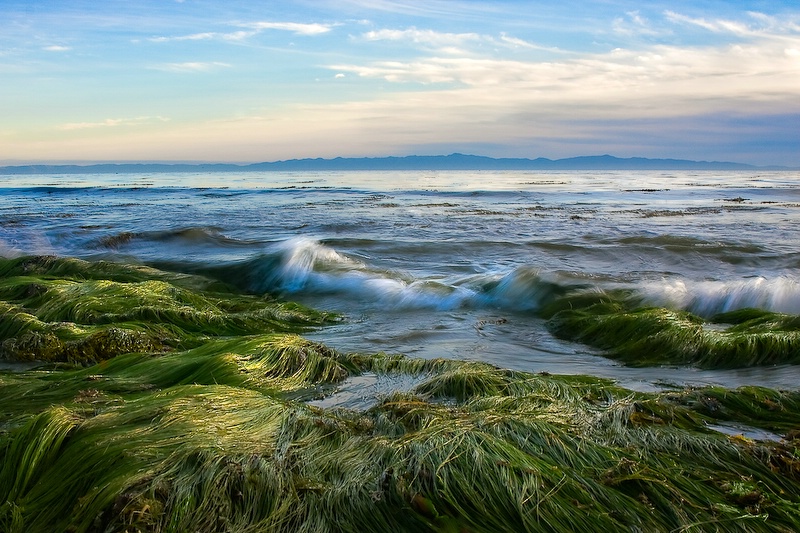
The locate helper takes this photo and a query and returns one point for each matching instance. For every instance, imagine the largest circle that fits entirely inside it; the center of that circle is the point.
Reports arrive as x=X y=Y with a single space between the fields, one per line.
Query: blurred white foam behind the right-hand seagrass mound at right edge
x=780 y=294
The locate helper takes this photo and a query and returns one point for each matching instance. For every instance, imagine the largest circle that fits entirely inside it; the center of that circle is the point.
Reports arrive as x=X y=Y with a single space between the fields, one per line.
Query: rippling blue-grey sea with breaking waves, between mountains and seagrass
x=449 y=264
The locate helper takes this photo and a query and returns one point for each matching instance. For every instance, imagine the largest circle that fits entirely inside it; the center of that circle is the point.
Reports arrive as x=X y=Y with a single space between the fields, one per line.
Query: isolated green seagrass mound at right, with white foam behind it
x=654 y=335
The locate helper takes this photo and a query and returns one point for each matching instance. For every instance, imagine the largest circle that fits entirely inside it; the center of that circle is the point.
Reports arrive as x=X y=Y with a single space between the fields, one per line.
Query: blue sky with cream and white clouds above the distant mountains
x=247 y=81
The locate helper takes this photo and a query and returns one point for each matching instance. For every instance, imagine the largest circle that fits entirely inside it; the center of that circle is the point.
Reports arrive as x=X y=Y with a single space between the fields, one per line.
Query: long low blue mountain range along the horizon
x=411 y=162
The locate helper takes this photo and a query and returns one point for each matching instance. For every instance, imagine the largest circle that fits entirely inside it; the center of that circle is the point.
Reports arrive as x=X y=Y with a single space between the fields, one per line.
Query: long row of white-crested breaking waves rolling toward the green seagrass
x=305 y=266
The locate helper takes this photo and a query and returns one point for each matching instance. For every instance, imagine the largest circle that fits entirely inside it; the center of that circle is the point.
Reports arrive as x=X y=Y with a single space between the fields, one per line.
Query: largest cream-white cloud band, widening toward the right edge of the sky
x=664 y=80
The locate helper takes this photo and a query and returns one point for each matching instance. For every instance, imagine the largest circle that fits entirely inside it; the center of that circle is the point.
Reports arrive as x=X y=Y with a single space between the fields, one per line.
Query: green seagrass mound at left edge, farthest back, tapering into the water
x=66 y=310
